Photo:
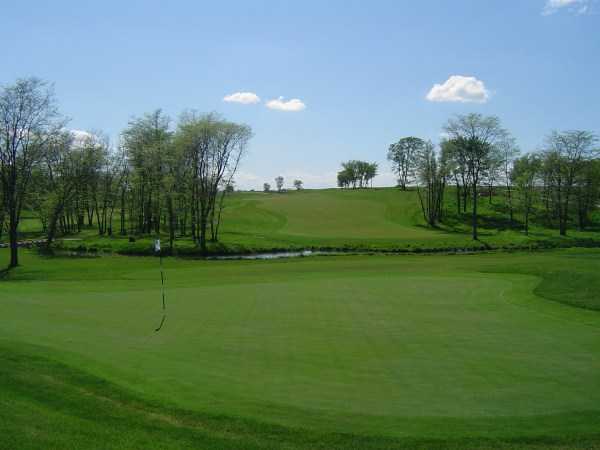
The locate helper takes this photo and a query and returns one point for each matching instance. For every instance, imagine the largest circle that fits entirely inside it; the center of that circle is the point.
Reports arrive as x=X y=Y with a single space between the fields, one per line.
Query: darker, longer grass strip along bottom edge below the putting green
x=46 y=404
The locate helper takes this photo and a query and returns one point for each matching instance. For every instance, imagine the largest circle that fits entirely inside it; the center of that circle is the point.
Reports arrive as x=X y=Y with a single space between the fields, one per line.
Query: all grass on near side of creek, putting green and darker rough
x=475 y=351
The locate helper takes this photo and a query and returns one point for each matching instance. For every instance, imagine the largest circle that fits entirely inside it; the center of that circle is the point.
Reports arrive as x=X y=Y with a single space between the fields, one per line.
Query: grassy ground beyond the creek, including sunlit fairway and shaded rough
x=369 y=219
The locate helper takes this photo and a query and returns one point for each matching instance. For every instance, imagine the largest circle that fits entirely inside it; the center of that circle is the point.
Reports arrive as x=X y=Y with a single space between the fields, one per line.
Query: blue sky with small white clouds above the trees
x=319 y=82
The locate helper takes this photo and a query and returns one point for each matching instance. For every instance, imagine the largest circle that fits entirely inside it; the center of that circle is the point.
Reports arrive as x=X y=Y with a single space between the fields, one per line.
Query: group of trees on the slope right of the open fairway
x=478 y=156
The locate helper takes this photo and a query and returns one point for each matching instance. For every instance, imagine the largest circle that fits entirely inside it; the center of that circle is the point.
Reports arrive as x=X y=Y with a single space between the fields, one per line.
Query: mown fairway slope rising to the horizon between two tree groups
x=330 y=217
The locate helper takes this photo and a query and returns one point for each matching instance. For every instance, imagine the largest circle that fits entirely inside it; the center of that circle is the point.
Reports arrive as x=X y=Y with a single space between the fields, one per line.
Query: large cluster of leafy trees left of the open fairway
x=160 y=178
